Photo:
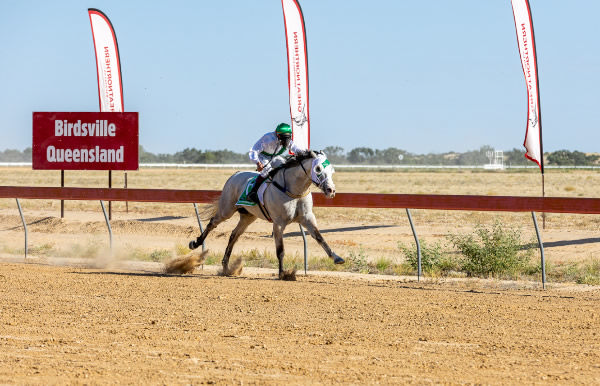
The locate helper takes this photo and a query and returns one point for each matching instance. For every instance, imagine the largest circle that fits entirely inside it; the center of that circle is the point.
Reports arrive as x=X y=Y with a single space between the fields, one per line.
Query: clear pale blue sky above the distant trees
x=423 y=76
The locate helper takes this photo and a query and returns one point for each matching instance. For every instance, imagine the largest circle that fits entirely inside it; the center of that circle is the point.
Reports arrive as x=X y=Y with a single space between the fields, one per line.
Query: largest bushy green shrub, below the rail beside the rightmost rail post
x=494 y=251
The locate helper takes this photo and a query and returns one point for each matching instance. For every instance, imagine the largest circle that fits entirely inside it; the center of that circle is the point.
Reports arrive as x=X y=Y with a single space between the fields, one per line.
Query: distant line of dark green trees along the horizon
x=356 y=156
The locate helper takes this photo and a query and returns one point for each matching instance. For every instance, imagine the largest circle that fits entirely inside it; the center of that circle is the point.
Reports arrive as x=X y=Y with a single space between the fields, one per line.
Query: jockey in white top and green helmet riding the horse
x=273 y=144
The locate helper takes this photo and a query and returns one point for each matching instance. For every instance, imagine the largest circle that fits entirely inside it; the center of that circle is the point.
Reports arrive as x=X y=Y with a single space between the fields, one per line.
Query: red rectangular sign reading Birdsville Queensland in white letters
x=85 y=141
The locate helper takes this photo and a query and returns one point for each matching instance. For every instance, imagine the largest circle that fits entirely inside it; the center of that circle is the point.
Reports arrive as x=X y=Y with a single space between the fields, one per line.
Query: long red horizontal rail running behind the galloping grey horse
x=341 y=200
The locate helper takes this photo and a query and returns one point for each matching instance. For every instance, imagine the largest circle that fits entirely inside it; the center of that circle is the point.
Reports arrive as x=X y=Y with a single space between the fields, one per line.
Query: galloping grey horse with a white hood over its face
x=286 y=200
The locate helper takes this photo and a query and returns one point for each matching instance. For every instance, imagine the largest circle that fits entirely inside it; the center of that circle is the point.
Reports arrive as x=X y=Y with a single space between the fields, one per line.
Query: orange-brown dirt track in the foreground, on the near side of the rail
x=63 y=322
